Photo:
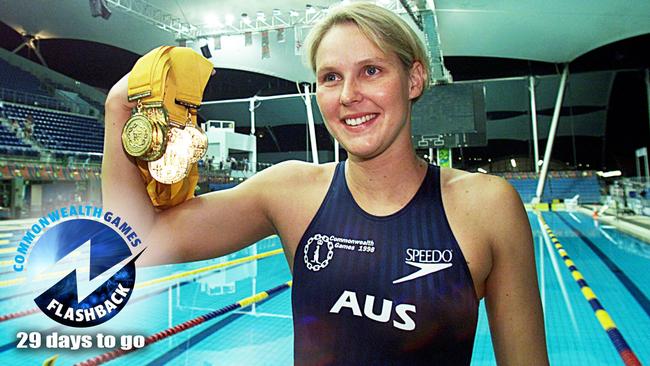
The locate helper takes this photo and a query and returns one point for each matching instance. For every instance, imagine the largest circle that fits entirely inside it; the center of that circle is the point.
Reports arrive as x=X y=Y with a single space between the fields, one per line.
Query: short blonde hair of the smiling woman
x=382 y=27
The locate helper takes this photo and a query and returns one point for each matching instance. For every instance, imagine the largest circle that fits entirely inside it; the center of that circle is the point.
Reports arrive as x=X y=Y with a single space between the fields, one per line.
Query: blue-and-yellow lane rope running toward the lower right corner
x=606 y=322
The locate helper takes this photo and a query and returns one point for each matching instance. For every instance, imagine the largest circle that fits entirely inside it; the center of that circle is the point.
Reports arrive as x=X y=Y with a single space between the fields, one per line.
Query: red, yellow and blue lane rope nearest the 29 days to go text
x=260 y=296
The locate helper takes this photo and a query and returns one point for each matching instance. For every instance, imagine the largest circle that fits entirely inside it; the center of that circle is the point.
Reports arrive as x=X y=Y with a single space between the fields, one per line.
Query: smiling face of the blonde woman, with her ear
x=364 y=94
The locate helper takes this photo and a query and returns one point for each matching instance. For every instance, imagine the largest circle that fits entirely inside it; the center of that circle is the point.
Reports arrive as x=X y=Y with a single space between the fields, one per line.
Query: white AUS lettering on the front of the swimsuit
x=348 y=299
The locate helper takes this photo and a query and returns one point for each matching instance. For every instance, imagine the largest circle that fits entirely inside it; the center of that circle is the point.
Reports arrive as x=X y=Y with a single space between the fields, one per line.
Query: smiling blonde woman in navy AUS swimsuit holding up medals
x=389 y=255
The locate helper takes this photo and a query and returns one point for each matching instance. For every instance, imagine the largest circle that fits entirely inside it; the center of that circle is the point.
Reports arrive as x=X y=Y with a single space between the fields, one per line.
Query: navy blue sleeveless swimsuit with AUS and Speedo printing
x=390 y=290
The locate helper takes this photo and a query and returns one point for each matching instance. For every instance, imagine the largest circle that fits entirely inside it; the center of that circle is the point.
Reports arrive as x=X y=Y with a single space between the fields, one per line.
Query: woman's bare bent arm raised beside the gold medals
x=204 y=227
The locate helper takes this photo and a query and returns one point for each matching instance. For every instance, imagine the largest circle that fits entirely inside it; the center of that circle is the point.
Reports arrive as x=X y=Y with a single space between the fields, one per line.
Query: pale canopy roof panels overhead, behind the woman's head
x=555 y=31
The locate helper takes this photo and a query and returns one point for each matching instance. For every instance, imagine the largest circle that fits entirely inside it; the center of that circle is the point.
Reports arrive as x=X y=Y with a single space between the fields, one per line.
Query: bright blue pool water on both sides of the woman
x=616 y=266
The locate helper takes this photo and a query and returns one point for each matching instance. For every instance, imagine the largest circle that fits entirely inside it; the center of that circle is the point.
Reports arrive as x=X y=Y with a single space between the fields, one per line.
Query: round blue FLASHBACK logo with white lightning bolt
x=87 y=268
